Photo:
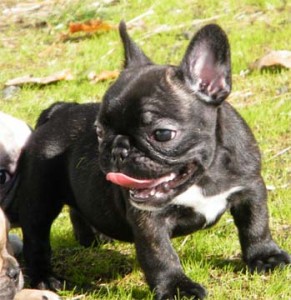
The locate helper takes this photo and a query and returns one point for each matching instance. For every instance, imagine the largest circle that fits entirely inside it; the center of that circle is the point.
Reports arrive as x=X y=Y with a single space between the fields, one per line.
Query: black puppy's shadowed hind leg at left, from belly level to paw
x=36 y=217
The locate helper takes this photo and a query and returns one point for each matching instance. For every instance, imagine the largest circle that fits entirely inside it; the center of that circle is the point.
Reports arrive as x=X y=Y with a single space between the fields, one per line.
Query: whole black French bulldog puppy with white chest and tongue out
x=170 y=158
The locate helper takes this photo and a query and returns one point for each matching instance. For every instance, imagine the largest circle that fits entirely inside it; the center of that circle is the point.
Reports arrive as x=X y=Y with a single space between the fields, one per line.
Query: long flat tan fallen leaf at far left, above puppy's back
x=29 y=79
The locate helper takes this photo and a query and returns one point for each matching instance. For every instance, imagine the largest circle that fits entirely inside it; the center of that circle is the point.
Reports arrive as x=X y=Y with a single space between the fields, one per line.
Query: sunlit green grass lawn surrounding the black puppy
x=211 y=257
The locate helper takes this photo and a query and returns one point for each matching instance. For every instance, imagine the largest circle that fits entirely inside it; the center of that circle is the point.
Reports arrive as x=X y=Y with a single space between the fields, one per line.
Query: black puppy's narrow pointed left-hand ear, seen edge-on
x=134 y=56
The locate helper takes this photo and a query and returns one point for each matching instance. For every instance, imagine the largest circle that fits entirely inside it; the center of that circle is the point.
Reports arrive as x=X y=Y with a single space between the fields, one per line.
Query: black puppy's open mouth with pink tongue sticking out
x=154 y=190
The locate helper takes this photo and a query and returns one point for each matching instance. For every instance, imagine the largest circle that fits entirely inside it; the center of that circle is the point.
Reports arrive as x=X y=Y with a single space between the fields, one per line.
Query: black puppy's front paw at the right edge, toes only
x=267 y=263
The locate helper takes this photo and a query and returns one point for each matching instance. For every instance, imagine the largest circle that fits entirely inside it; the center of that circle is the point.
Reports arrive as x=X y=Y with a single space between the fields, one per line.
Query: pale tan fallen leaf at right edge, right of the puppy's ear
x=274 y=59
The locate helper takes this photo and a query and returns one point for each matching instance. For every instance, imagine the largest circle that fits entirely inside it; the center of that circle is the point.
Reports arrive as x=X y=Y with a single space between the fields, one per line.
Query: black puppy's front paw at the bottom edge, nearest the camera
x=180 y=287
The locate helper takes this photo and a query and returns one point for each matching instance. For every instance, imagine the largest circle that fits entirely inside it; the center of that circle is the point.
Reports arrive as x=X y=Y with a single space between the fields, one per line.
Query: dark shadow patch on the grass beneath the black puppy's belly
x=86 y=269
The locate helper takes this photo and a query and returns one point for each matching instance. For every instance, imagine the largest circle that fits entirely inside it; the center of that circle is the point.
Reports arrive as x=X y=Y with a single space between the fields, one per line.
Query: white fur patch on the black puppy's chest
x=209 y=206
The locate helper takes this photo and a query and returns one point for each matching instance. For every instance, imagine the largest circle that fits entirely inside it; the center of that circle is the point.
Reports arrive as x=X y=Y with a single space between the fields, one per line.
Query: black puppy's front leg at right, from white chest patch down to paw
x=250 y=214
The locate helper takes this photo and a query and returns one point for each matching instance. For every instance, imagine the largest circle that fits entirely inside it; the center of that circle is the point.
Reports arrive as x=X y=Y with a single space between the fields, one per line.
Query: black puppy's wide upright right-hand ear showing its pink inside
x=206 y=65
